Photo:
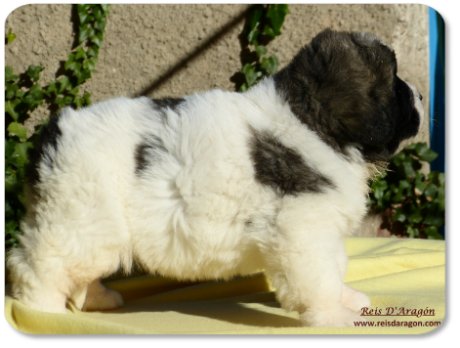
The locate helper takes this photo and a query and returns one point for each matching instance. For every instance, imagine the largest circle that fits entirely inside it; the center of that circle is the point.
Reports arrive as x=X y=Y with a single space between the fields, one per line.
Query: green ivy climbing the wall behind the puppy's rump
x=23 y=94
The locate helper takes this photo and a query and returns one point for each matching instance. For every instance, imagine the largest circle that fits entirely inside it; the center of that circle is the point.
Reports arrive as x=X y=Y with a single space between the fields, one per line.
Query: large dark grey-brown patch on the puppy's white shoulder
x=283 y=168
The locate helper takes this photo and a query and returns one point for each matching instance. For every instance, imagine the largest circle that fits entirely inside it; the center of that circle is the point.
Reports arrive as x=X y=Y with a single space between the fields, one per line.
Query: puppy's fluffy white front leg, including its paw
x=302 y=264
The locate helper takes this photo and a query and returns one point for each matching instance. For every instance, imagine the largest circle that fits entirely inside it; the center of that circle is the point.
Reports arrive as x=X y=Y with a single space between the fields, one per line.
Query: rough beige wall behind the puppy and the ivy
x=145 y=42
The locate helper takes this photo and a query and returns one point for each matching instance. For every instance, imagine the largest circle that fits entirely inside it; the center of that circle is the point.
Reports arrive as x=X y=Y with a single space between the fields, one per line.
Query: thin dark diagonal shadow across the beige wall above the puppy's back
x=204 y=46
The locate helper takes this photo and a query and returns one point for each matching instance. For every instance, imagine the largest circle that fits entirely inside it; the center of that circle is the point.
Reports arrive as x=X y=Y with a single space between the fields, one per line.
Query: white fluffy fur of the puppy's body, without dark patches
x=186 y=216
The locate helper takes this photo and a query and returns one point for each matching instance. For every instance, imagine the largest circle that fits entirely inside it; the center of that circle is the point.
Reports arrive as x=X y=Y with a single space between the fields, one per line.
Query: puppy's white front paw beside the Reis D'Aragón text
x=339 y=317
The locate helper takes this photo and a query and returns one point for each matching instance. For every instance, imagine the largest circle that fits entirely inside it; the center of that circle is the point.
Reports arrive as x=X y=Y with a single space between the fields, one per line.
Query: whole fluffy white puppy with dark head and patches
x=218 y=184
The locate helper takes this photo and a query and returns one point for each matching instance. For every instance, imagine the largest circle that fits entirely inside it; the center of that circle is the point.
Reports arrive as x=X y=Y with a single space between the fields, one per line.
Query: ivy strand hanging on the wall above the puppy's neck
x=263 y=25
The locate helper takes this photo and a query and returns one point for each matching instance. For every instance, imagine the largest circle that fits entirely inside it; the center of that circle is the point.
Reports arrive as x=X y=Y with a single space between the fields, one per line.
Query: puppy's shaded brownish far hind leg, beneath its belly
x=101 y=298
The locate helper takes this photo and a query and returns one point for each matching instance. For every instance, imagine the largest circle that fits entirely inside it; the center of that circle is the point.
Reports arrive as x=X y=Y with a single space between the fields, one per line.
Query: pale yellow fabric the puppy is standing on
x=393 y=272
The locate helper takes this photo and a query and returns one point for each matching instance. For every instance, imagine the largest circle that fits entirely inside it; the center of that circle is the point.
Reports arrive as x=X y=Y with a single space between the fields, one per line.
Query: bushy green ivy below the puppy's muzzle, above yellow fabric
x=412 y=203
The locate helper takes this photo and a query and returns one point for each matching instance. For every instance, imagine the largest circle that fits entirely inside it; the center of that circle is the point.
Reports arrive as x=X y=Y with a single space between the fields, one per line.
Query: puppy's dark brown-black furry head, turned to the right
x=345 y=87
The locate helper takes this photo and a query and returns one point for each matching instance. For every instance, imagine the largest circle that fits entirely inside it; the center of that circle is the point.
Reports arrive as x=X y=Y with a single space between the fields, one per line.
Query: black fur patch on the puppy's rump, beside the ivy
x=49 y=136
